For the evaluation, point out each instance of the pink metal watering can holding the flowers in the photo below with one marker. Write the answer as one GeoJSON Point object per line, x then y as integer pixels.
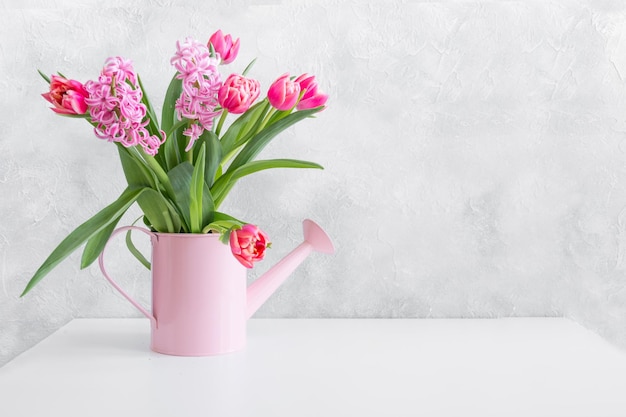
{"type": "Point", "coordinates": [200, 302]}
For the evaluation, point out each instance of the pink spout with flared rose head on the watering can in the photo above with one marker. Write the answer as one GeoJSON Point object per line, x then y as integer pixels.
{"type": "Point", "coordinates": [315, 239]}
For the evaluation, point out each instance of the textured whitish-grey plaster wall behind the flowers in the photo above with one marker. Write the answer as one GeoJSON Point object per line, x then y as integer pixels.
{"type": "Point", "coordinates": [474, 155]}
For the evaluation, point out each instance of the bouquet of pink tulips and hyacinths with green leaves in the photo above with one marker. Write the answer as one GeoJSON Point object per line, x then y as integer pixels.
{"type": "Point", "coordinates": [180, 170]}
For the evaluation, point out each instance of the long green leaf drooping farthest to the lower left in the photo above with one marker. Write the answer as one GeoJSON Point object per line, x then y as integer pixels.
{"type": "Point", "coordinates": [85, 232]}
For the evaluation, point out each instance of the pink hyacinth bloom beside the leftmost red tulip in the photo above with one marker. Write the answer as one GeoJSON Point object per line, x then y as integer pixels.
{"type": "Point", "coordinates": [116, 108]}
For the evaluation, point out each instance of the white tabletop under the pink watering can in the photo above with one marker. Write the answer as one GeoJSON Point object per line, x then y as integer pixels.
{"type": "Point", "coordinates": [325, 367]}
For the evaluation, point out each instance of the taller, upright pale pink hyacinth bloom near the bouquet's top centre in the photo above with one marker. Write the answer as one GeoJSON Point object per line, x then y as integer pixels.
{"type": "Point", "coordinates": [201, 82]}
